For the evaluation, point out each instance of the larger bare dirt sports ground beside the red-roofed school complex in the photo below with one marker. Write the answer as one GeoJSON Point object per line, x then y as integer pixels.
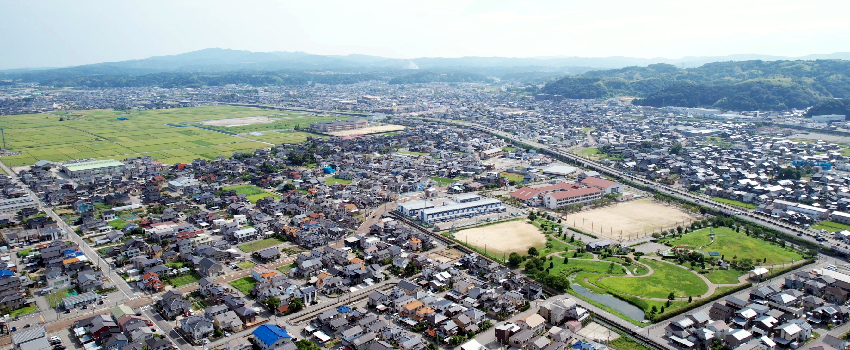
{"type": "Point", "coordinates": [635, 219]}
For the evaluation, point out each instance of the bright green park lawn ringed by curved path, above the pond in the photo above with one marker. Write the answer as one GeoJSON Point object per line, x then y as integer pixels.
{"type": "Point", "coordinates": [666, 278]}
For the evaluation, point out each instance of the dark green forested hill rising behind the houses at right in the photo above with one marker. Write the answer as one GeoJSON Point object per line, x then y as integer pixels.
{"type": "Point", "coordinates": [747, 85]}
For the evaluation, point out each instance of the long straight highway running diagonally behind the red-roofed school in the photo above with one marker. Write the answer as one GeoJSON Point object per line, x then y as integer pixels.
{"type": "Point", "coordinates": [702, 199]}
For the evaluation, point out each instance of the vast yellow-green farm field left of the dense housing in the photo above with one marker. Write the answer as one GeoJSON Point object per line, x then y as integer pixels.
{"type": "Point", "coordinates": [100, 134]}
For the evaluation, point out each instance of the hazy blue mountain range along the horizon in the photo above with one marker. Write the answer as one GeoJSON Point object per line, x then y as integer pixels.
{"type": "Point", "coordinates": [220, 60]}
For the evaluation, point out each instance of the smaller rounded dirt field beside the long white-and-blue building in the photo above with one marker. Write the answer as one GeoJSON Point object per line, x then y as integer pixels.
{"type": "Point", "coordinates": [512, 236]}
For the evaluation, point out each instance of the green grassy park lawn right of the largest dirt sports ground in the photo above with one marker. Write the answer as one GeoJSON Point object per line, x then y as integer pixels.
{"type": "Point", "coordinates": [732, 244]}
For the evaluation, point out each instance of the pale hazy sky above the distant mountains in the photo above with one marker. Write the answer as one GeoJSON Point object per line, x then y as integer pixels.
{"type": "Point", "coordinates": [64, 33]}
